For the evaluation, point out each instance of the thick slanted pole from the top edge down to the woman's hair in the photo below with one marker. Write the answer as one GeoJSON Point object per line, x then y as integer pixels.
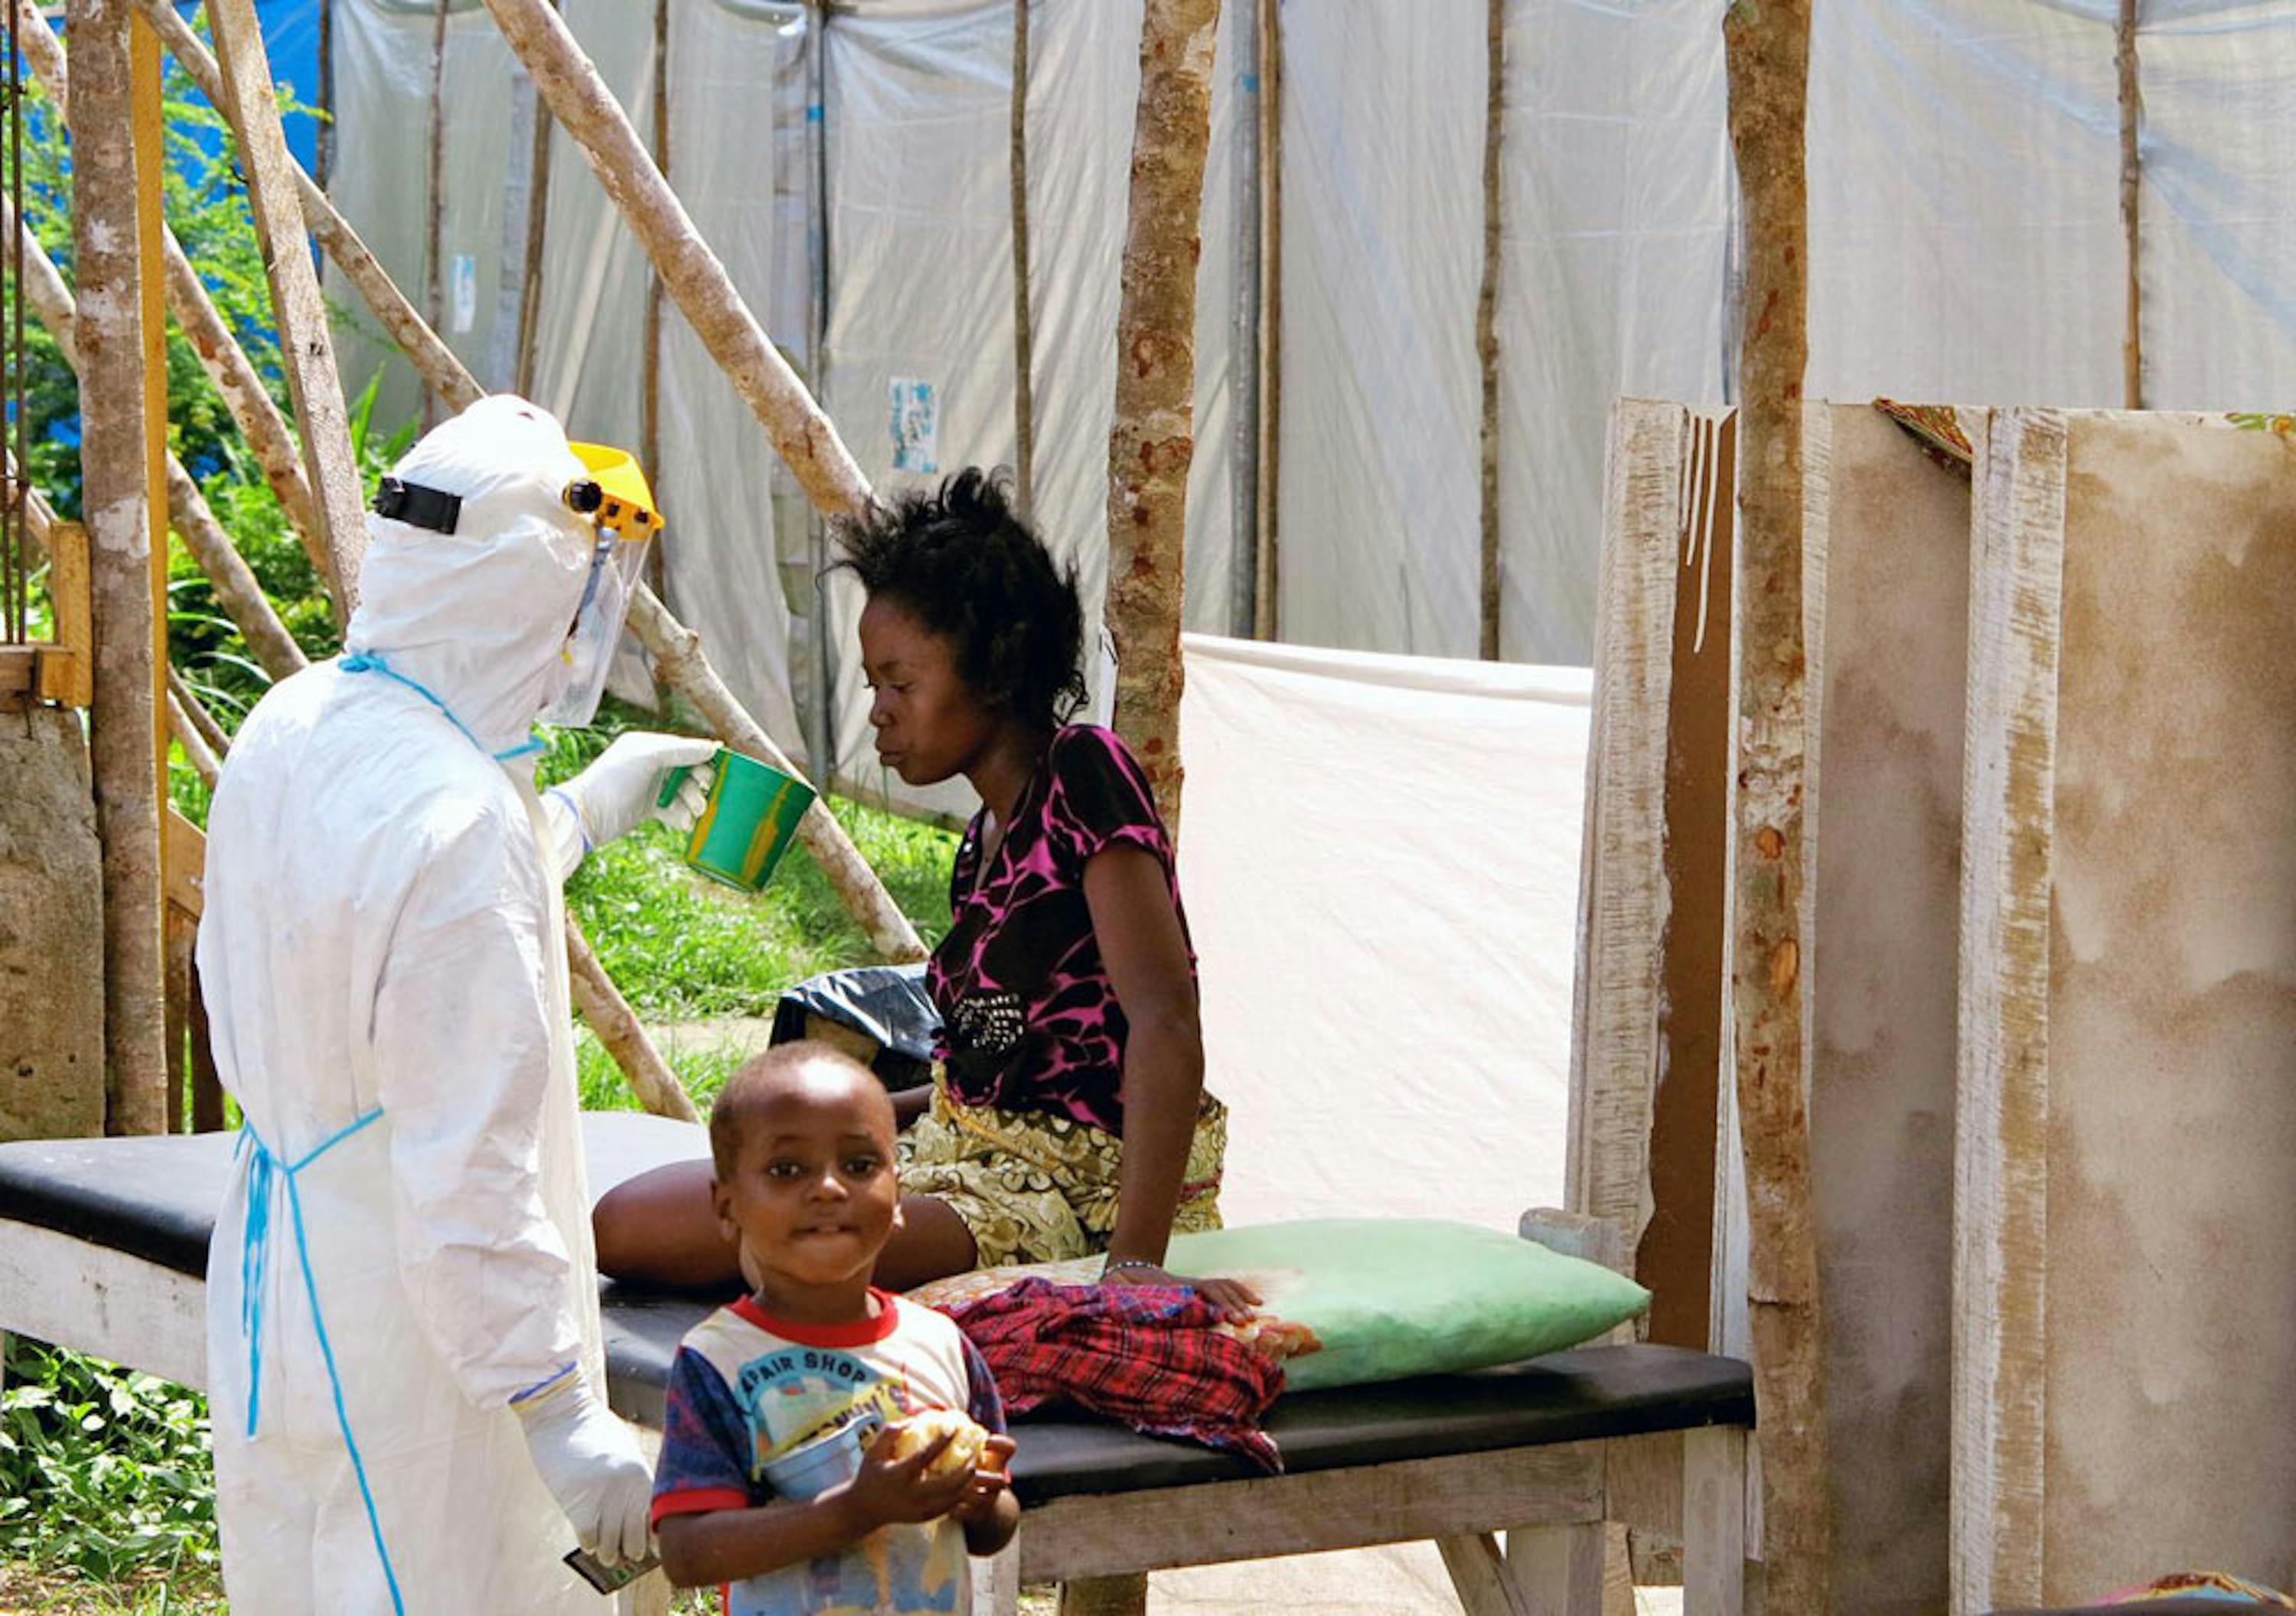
{"type": "Point", "coordinates": [690, 270]}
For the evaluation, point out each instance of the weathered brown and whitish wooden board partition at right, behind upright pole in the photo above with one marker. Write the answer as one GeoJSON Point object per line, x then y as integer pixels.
{"type": "Point", "coordinates": [2051, 970]}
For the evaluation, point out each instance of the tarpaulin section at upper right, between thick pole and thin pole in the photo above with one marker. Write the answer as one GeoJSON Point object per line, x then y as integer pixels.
{"type": "Point", "coordinates": [1964, 203]}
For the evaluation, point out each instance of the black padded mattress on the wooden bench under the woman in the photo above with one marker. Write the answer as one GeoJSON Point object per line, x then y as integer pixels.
{"type": "Point", "coordinates": [157, 1199]}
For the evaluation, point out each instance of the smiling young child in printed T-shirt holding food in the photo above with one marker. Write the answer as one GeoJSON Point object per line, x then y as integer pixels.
{"type": "Point", "coordinates": [779, 1454]}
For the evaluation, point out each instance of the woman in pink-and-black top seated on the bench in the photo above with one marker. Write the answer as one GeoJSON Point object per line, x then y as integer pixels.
{"type": "Point", "coordinates": [1066, 1114]}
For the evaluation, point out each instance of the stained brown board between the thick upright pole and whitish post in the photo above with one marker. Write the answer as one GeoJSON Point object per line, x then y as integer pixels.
{"type": "Point", "coordinates": [1888, 550]}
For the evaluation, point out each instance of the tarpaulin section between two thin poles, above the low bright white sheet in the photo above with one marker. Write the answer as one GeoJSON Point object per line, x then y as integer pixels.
{"type": "Point", "coordinates": [1383, 249]}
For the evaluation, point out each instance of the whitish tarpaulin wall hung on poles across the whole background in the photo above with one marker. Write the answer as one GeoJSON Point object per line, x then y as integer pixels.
{"type": "Point", "coordinates": [1967, 242]}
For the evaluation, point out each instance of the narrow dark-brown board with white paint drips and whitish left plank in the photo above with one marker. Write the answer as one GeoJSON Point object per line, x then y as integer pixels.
{"type": "Point", "coordinates": [1650, 968]}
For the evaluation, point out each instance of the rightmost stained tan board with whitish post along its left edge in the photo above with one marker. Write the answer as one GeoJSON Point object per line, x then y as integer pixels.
{"type": "Point", "coordinates": [2130, 1018]}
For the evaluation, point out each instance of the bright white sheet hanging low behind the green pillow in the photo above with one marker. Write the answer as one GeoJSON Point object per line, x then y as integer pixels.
{"type": "Point", "coordinates": [1379, 860]}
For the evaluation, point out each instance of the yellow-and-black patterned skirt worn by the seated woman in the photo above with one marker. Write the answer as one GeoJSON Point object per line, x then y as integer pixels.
{"type": "Point", "coordinates": [1041, 1188]}
